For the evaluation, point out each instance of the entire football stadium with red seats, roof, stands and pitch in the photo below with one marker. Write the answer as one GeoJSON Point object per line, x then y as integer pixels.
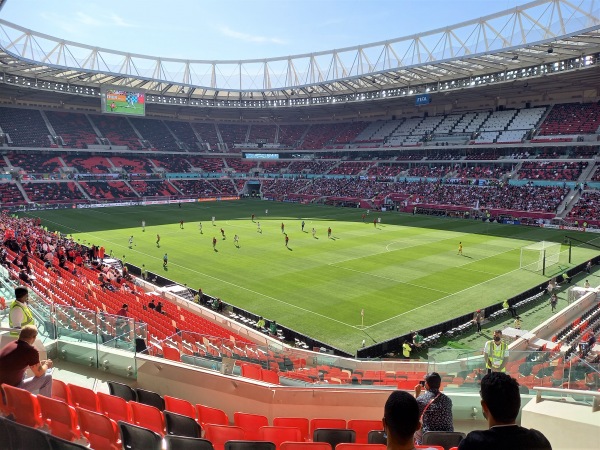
{"type": "Point", "coordinates": [255, 254]}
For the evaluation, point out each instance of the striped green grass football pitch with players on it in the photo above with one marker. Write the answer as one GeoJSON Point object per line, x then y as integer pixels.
{"type": "Point", "coordinates": [404, 273]}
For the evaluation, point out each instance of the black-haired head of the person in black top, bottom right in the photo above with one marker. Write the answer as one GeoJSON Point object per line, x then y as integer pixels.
{"type": "Point", "coordinates": [500, 398]}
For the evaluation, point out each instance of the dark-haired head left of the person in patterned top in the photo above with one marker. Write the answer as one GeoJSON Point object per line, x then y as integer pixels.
{"type": "Point", "coordinates": [400, 417]}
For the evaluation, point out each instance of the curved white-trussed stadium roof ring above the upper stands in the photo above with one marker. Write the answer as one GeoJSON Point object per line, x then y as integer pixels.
{"type": "Point", "coordinates": [530, 41]}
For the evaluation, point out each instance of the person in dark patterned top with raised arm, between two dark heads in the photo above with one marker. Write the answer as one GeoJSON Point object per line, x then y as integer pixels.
{"type": "Point", "coordinates": [435, 408]}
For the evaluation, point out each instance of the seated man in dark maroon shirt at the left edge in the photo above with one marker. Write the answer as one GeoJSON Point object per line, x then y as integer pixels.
{"type": "Point", "coordinates": [19, 355]}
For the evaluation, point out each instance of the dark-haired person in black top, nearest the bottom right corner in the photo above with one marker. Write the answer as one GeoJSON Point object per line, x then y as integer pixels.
{"type": "Point", "coordinates": [500, 402]}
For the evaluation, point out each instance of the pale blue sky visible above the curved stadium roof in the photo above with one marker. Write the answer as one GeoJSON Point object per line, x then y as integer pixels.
{"type": "Point", "coordinates": [239, 29]}
